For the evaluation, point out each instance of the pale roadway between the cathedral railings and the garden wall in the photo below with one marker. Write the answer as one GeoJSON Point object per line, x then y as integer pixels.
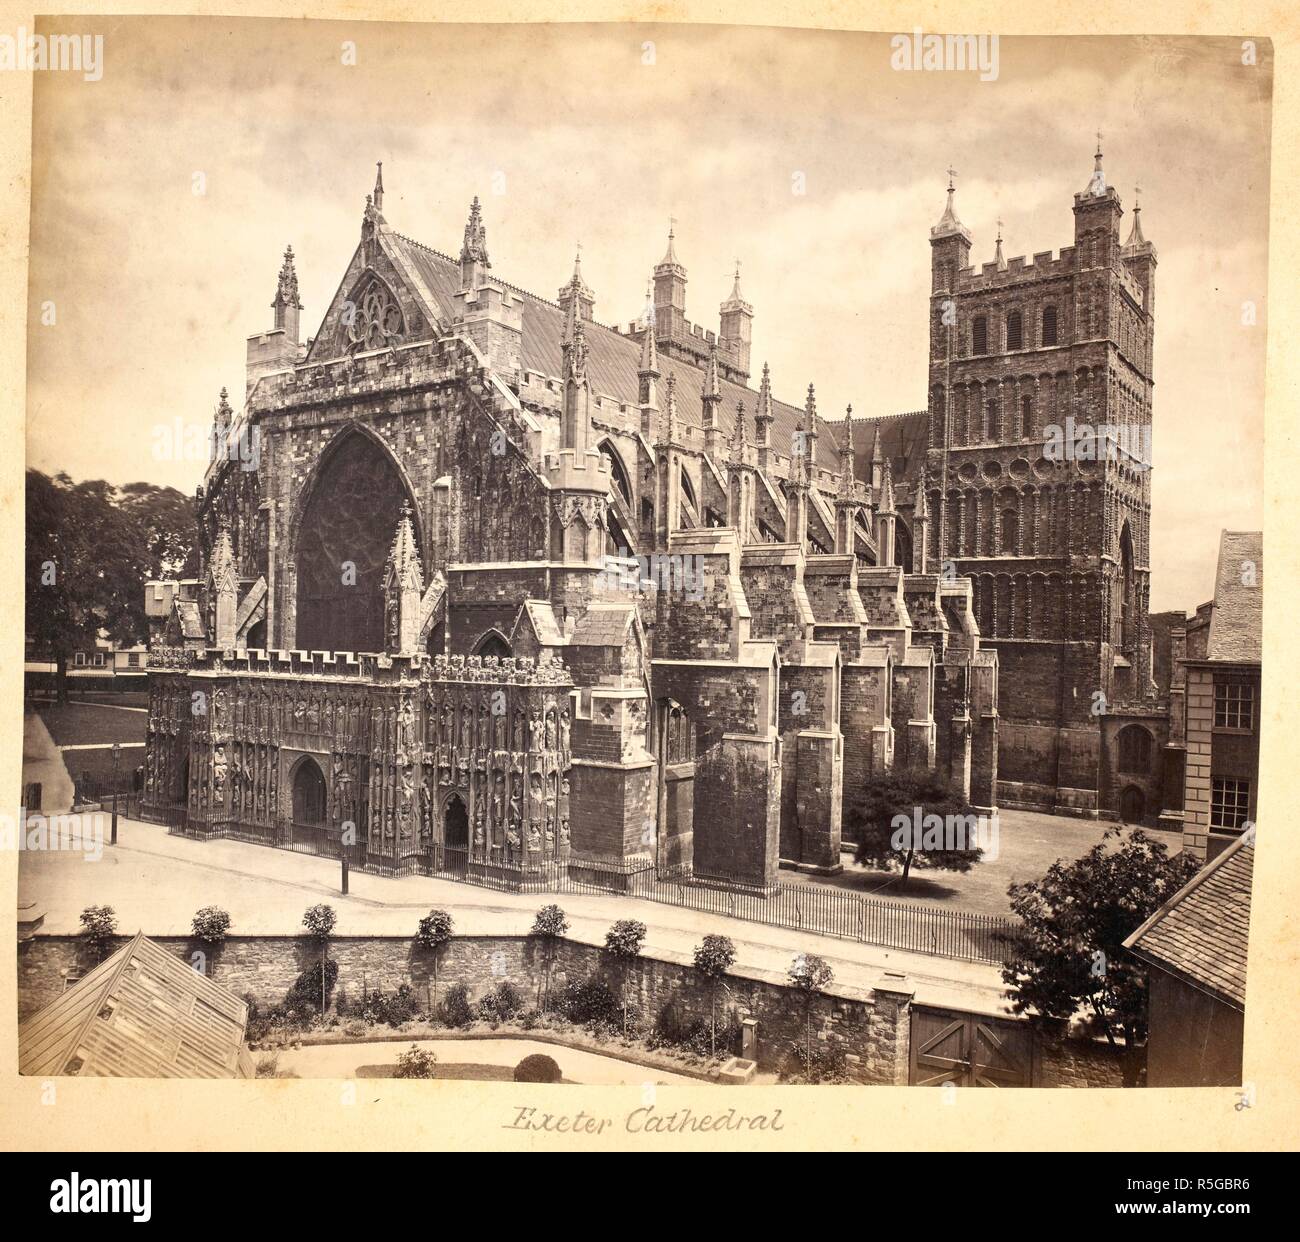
{"type": "Point", "coordinates": [155, 884]}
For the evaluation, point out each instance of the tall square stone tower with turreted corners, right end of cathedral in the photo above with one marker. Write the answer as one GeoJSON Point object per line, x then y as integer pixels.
{"type": "Point", "coordinates": [1038, 479]}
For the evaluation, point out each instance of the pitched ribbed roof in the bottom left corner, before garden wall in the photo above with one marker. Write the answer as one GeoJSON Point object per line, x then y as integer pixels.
{"type": "Point", "coordinates": [142, 1014]}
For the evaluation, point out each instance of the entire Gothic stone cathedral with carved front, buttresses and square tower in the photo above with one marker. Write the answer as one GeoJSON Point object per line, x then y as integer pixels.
{"type": "Point", "coordinates": [488, 586]}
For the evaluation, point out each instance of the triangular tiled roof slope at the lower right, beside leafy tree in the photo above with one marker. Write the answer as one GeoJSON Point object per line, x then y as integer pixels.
{"type": "Point", "coordinates": [1201, 934]}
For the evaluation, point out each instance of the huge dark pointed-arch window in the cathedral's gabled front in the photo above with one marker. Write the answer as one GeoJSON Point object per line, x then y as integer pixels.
{"type": "Point", "coordinates": [344, 540]}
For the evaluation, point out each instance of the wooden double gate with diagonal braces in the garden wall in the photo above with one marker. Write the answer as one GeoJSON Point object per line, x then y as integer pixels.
{"type": "Point", "coordinates": [970, 1050]}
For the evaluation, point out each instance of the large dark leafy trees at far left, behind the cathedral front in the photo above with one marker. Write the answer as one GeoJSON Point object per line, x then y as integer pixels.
{"type": "Point", "coordinates": [89, 553]}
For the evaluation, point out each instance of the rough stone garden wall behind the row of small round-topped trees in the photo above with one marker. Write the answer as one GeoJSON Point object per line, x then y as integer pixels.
{"type": "Point", "coordinates": [872, 1027]}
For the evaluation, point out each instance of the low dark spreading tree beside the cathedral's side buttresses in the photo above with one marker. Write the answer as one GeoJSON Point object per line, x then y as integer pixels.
{"type": "Point", "coordinates": [913, 819]}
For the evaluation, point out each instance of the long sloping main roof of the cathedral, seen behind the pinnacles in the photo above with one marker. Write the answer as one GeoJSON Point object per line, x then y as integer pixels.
{"type": "Point", "coordinates": [613, 360]}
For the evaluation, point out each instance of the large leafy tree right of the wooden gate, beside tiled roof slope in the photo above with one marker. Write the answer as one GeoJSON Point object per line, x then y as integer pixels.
{"type": "Point", "coordinates": [1069, 949]}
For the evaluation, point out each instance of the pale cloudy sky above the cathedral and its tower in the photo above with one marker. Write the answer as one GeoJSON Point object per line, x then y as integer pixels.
{"type": "Point", "coordinates": [600, 135]}
